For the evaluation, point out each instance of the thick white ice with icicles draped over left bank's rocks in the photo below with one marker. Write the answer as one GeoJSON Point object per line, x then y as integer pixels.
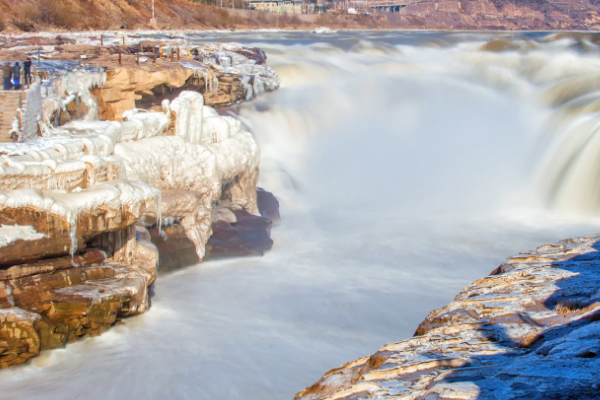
{"type": "Point", "coordinates": [111, 165]}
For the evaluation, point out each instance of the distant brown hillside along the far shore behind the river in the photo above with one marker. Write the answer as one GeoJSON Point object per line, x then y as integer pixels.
{"type": "Point", "coordinates": [36, 15]}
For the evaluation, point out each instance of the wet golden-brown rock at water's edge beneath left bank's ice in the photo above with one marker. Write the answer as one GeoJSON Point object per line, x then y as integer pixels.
{"type": "Point", "coordinates": [52, 302]}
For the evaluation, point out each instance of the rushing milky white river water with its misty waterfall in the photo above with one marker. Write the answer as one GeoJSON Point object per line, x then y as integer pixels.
{"type": "Point", "coordinates": [407, 165]}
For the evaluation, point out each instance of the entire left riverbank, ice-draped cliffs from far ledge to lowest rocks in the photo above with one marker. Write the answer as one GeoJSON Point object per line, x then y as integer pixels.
{"type": "Point", "coordinates": [101, 156]}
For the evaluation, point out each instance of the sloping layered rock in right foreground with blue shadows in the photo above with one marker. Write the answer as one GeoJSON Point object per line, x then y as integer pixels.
{"type": "Point", "coordinates": [529, 330]}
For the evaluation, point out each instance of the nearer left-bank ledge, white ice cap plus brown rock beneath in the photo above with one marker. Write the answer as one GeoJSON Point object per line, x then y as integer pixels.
{"type": "Point", "coordinates": [75, 252]}
